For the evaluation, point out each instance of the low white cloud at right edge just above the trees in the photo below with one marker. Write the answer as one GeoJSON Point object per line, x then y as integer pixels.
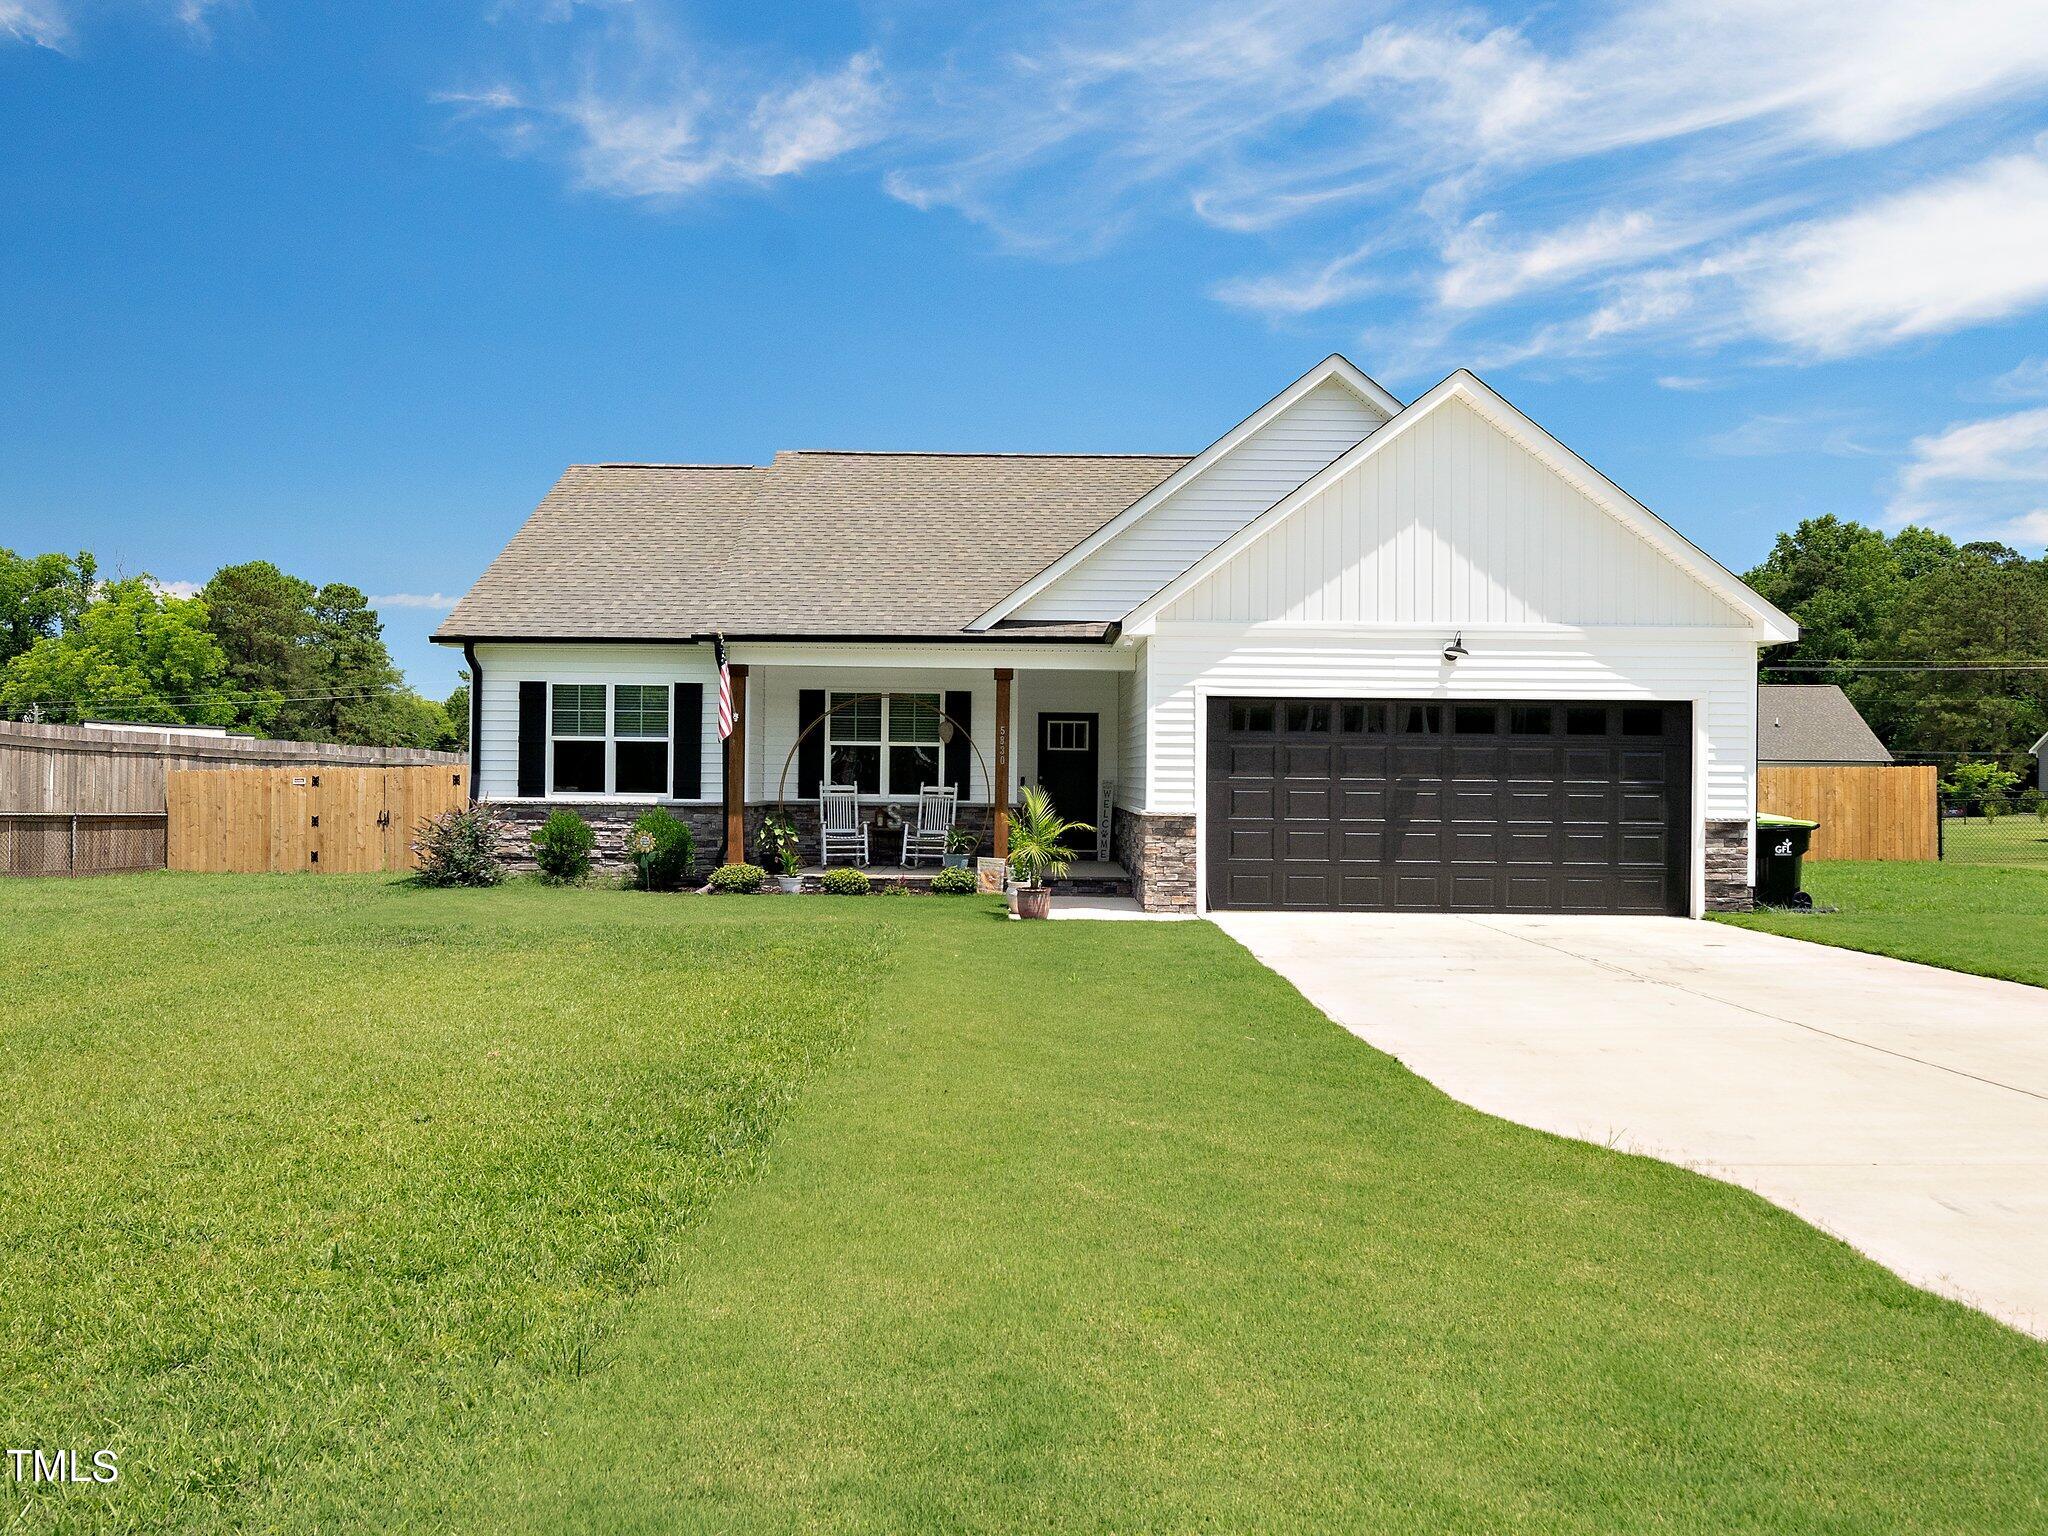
{"type": "Point", "coordinates": [1986, 478]}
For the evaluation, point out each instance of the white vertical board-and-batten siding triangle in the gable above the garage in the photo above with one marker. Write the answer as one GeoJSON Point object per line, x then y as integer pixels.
{"type": "Point", "coordinates": [1453, 523]}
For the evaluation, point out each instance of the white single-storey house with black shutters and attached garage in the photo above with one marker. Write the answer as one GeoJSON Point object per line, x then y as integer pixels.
{"type": "Point", "coordinates": [1353, 654]}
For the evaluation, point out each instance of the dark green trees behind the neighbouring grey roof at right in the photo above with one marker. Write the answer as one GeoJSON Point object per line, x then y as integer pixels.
{"type": "Point", "coordinates": [1940, 646]}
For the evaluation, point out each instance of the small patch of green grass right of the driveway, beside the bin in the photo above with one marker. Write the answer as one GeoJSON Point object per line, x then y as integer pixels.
{"type": "Point", "coordinates": [1981, 919]}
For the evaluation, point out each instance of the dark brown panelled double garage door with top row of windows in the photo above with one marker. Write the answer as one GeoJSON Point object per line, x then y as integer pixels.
{"type": "Point", "coordinates": [1400, 806]}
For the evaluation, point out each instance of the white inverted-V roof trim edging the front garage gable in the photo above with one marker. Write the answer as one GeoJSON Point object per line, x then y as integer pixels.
{"type": "Point", "coordinates": [1465, 386]}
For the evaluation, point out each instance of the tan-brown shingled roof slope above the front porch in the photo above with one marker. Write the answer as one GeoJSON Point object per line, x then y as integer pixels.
{"type": "Point", "coordinates": [814, 544]}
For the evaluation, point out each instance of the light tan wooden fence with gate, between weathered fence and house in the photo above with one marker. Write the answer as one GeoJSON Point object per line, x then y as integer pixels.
{"type": "Point", "coordinates": [323, 820]}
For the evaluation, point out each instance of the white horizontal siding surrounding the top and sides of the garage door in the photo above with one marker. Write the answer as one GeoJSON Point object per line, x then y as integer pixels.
{"type": "Point", "coordinates": [1717, 671]}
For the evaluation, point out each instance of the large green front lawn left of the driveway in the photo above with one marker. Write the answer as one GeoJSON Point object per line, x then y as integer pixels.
{"type": "Point", "coordinates": [347, 1207]}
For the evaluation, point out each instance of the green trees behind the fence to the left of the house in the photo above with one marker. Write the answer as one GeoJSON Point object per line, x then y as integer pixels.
{"type": "Point", "coordinates": [257, 650]}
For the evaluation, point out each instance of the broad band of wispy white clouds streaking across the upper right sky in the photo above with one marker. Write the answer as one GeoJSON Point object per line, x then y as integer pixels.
{"type": "Point", "coordinates": [1574, 185]}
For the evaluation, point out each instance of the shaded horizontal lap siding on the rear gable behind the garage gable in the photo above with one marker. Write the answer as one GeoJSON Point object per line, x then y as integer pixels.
{"type": "Point", "coordinates": [1207, 511]}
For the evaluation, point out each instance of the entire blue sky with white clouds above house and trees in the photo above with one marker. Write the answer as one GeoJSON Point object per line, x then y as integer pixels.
{"type": "Point", "coordinates": [347, 286]}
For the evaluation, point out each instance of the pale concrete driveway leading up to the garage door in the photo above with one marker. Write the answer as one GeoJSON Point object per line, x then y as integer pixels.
{"type": "Point", "coordinates": [1900, 1107]}
